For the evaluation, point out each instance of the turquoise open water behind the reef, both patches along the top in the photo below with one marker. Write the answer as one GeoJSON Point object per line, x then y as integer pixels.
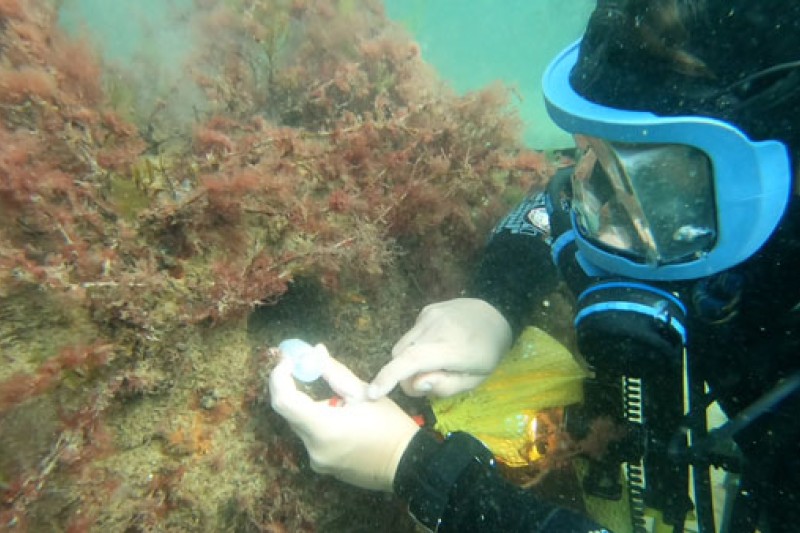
{"type": "Point", "coordinates": [471, 43]}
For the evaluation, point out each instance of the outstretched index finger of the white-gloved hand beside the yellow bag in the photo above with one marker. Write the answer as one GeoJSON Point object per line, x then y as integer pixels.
{"type": "Point", "coordinates": [416, 359]}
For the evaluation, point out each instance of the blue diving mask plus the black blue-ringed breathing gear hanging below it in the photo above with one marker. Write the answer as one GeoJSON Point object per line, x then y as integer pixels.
{"type": "Point", "coordinates": [656, 198]}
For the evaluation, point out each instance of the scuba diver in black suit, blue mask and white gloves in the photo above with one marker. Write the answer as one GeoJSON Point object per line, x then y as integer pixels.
{"type": "Point", "coordinates": [677, 233]}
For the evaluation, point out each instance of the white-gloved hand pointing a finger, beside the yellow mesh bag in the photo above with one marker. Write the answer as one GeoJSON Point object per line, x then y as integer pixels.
{"type": "Point", "coordinates": [453, 347]}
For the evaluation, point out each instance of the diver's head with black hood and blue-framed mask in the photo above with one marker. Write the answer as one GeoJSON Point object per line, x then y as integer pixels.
{"type": "Point", "coordinates": [688, 113]}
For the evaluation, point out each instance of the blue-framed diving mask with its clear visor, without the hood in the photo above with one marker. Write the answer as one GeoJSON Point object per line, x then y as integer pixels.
{"type": "Point", "coordinates": [665, 197]}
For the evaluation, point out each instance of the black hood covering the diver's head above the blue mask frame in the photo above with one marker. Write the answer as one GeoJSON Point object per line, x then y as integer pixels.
{"type": "Point", "coordinates": [721, 63]}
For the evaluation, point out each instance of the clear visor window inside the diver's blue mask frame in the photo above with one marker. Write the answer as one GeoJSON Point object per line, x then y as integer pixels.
{"type": "Point", "coordinates": [652, 203]}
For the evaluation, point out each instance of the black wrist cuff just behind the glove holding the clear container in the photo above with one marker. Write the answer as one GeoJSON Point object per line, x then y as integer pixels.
{"type": "Point", "coordinates": [429, 469]}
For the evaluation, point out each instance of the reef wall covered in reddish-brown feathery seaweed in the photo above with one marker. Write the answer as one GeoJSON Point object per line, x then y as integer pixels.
{"type": "Point", "coordinates": [303, 173]}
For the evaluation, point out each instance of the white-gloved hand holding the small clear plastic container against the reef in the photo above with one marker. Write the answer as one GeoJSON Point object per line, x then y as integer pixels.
{"type": "Point", "coordinates": [359, 442]}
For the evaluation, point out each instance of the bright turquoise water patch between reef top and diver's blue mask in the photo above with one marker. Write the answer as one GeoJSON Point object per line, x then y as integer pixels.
{"type": "Point", "coordinates": [476, 42]}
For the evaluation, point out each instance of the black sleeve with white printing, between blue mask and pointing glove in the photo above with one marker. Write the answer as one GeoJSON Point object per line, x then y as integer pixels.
{"type": "Point", "coordinates": [516, 271]}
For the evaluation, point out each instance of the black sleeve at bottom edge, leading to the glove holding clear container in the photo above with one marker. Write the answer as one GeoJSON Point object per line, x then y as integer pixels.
{"type": "Point", "coordinates": [453, 486]}
